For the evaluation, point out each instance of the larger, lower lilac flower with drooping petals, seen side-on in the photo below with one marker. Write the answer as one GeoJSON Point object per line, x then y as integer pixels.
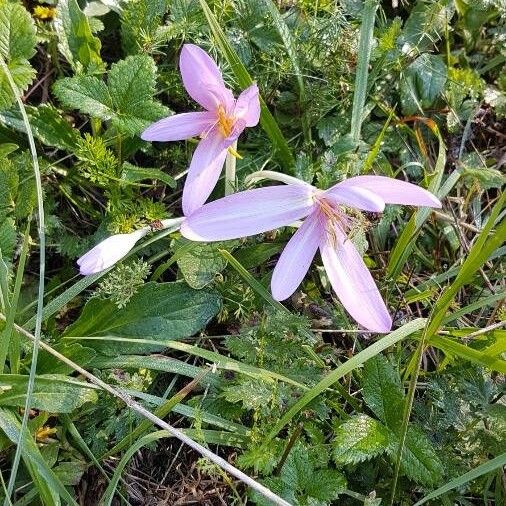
{"type": "Point", "coordinates": [330, 216]}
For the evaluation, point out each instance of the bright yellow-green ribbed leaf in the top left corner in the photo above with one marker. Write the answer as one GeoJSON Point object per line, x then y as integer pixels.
{"type": "Point", "coordinates": [17, 46]}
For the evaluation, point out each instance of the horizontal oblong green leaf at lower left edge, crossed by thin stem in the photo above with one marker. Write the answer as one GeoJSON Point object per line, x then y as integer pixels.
{"type": "Point", "coordinates": [53, 392]}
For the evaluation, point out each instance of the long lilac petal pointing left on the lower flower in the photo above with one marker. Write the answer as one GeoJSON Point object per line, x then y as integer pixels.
{"type": "Point", "coordinates": [249, 212]}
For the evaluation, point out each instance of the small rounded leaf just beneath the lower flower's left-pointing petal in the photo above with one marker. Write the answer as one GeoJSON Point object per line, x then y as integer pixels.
{"type": "Point", "coordinates": [200, 265]}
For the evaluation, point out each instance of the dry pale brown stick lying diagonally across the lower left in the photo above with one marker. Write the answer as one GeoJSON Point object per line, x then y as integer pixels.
{"type": "Point", "coordinates": [131, 403]}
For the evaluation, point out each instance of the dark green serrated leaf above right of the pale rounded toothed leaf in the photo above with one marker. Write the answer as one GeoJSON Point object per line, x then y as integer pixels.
{"type": "Point", "coordinates": [382, 391]}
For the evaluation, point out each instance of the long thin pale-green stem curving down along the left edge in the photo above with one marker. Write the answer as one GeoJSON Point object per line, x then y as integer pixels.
{"type": "Point", "coordinates": [42, 269]}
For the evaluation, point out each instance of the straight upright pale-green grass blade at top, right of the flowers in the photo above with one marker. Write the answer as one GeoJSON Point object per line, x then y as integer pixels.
{"type": "Point", "coordinates": [364, 54]}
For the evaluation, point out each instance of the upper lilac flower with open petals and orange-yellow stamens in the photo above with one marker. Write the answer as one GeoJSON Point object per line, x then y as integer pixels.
{"type": "Point", "coordinates": [219, 125]}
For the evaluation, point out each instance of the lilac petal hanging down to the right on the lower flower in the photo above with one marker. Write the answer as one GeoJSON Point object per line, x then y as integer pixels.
{"type": "Point", "coordinates": [354, 284]}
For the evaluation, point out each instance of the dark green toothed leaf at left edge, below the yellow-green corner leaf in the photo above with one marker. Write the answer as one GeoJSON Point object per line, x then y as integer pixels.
{"type": "Point", "coordinates": [48, 126]}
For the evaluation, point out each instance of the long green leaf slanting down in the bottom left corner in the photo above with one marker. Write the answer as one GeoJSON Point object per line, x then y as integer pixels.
{"type": "Point", "coordinates": [38, 467]}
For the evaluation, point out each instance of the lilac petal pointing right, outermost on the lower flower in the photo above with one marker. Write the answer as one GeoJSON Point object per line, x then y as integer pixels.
{"type": "Point", "coordinates": [393, 191]}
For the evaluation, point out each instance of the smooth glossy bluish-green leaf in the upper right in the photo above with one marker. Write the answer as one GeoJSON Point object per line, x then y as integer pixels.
{"type": "Point", "coordinates": [423, 81]}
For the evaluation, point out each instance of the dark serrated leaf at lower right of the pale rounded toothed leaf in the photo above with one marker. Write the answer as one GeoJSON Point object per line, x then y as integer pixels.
{"type": "Point", "coordinates": [419, 461]}
